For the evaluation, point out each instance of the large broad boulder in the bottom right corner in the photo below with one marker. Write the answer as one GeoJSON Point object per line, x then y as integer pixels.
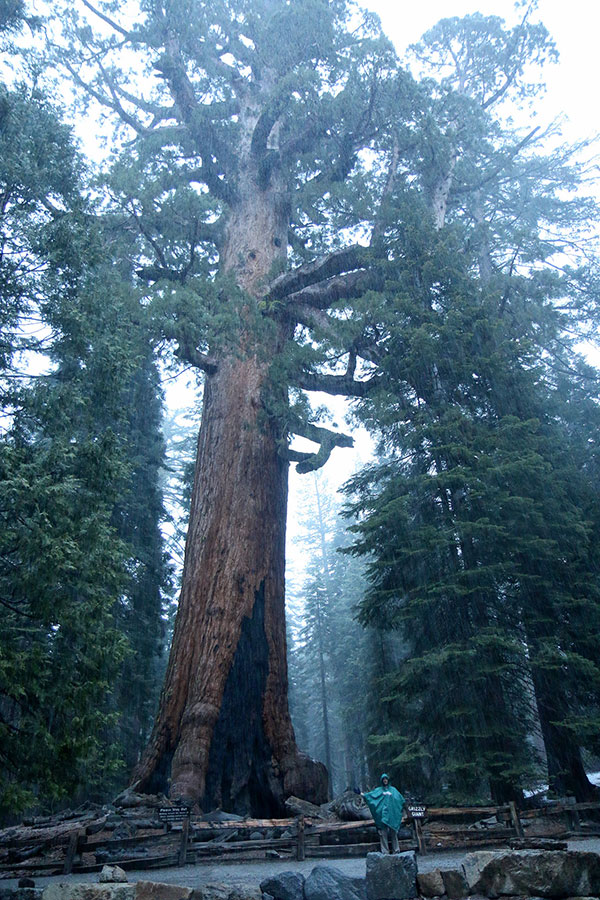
{"type": "Point", "coordinates": [542, 873]}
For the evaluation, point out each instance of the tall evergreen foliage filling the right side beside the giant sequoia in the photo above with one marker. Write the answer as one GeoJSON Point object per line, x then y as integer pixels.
{"type": "Point", "coordinates": [478, 522]}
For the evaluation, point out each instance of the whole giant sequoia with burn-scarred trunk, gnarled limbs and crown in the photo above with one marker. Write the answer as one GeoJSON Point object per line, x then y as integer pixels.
{"type": "Point", "coordinates": [245, 124]}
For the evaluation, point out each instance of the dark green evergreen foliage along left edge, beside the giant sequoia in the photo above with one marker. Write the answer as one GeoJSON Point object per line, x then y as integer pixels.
{"type": "Point", "coordinates": [82, 570]}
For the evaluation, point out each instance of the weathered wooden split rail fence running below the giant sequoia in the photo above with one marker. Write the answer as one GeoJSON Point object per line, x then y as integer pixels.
{"type": "Point", "coordinates": [189, 841]}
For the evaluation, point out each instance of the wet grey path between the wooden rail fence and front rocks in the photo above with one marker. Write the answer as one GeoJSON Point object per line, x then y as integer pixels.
{"type": "Point", "coordinates": [252, 873]}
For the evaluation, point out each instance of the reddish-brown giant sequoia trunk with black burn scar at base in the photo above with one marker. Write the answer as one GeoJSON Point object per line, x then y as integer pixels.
{"type": "Point", "coordinates": [223, 735]}
